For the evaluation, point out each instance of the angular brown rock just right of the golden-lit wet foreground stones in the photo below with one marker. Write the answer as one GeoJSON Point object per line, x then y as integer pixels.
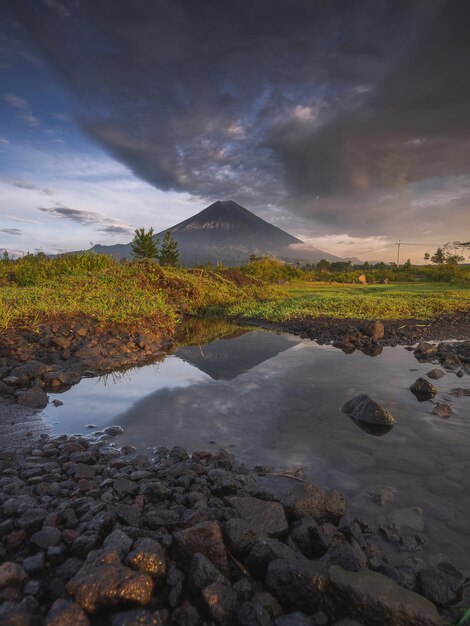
{"type": "Point", "coordinates": [206, 538]}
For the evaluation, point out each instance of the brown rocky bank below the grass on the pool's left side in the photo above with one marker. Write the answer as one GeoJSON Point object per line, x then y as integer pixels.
{"type": "Point", "coordinates": [57, 355]}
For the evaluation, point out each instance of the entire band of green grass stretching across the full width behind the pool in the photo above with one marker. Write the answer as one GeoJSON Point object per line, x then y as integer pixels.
{"type": "Point", "coordinates": [34, 289]}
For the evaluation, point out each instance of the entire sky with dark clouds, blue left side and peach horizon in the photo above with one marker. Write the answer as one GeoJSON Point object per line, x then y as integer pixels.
{"type": "Point", "coordinates": [345, 122]}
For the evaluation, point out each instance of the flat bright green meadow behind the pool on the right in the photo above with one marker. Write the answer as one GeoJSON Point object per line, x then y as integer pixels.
{"type": "Point", "coordinates": [393, 301]}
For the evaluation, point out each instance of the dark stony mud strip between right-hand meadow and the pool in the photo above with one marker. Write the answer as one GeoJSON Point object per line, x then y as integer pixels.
{"type": "Point", "coordinates": [370, 336]}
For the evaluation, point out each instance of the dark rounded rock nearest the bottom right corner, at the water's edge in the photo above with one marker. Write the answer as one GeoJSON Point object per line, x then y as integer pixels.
{"type": "Point", "coordinates": [443, 585]}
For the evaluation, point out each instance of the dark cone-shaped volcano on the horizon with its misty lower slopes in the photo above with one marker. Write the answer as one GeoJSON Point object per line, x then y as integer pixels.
{"type": "Point", "coordinates": [228, 233]}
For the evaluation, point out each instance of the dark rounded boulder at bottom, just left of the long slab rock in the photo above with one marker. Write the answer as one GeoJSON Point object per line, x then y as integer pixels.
{"type": "Point", "coordinates": [296, 584]}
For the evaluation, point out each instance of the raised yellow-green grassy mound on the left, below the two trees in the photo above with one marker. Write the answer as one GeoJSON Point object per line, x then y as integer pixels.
{"type": "Point", "coordinates": [34, 290]}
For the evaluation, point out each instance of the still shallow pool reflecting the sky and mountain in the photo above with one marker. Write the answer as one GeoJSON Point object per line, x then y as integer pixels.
{"type": "Point", "coordinates": [275, 399]}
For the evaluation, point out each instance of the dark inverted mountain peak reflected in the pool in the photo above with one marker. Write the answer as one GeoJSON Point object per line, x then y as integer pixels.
{"type": "Point", "coordinates": [226, 359]}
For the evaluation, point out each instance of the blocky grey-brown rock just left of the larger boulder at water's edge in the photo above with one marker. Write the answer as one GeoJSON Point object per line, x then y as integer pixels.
{"type": "Point", "coordinates": [263, 518]}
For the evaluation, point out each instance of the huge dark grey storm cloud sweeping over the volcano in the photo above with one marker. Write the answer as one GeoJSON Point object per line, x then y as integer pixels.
{"type": "Point", "coordinates": [331, 109]}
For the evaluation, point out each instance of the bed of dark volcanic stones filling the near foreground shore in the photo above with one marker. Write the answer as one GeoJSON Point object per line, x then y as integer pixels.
{"type": "Point", "coordinates": [90, 536]}
